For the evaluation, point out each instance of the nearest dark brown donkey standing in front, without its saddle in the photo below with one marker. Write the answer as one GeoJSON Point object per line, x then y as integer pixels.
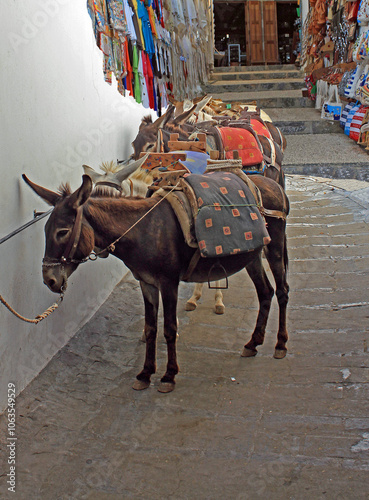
{"type": "Point", "coordinates": [146, 236]}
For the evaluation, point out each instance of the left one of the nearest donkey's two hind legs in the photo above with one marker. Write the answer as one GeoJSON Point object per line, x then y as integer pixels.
{"type": "Point", "coordinates": [265, 294]}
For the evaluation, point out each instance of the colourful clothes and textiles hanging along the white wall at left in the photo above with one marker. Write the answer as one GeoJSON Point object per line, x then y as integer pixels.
{"type": "Point", "coordinates": [154, 48]}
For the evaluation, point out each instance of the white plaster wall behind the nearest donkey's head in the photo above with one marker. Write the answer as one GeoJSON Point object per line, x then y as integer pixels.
{"type": "Point", "coordinates": [56, 114]}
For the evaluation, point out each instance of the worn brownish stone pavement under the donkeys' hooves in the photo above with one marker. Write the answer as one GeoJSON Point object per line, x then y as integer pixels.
{"type": "Point", "coordinates": [234, 428]}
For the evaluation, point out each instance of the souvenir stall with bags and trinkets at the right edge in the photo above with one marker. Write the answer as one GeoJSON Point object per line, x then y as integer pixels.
{"type": "Point", "coordinates": [335, 59]}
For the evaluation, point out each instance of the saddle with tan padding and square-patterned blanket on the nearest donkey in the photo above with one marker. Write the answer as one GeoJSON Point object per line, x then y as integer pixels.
{"type": "Point", "coordinates": [220, 212]}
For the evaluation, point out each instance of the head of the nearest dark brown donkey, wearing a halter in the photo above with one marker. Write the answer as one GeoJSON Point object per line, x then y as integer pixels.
{"type": "Point", "coordinates": [69, 239]}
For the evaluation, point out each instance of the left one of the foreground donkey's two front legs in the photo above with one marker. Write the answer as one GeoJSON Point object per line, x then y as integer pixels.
{"type": "Point", "coordinates": [151, 299]}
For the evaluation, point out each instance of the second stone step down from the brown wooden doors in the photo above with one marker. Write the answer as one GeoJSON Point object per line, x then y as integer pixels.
{"type": "Point", "coordinates": [226, 86]}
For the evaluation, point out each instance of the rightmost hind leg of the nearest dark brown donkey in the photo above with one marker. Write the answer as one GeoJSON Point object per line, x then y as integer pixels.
{"type": "Point", "coordinates": [276, 254]}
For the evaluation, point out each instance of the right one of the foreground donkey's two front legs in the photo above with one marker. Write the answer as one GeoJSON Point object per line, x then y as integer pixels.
{"type": "Point", "coordinates": [169, 293]}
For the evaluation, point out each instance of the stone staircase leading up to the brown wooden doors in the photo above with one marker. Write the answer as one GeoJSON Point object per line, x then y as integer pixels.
{"type": "Point", "coordinates": [314, 146]}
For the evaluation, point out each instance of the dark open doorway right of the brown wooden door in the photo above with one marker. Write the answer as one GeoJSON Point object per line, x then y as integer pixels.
{"type": "Point", "coordinates": [288, 33]}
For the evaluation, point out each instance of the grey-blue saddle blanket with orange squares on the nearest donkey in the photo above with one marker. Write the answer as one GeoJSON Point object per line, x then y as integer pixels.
{"type": "Point", "coordinates": [228, 220]}
